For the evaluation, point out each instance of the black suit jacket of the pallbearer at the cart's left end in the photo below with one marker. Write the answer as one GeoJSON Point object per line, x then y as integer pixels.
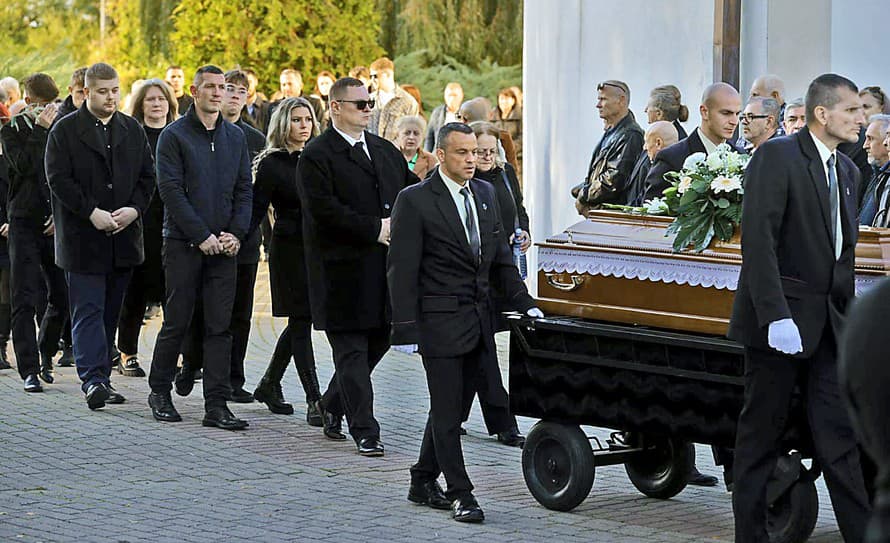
{"type": "Point", "coordinates": [441, 298]}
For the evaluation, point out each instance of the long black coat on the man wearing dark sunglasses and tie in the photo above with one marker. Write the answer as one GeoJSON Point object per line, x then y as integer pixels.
{"type": "Point", "coordinates": [343, 201]}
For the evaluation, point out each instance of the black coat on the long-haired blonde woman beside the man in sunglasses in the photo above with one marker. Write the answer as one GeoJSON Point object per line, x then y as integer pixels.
{"type": "Point", "coordinates": [276, 184]}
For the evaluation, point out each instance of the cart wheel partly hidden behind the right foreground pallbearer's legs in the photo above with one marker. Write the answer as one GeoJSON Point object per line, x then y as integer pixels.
{"type": "Point", "coordinates": [792, 517]}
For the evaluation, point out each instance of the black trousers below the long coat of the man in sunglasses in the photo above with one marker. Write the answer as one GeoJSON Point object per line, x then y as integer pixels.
{"type": "Point", "coordinates": [350, 393]}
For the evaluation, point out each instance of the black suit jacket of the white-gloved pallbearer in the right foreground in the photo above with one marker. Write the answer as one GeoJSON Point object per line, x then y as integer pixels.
{"type": "Point", "coordinates": [788, 267]}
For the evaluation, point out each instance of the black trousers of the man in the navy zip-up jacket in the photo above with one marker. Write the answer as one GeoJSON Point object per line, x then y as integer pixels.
{"type": "Point", "coordinates": [190, 274]}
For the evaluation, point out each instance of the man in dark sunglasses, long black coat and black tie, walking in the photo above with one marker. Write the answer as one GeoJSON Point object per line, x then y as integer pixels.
{"type": "Point", "coordinates": [348, 180]}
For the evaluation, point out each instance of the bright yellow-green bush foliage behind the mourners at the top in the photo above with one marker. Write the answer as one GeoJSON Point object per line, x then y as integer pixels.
{"type": "Point", "coordinates": [270, 35]}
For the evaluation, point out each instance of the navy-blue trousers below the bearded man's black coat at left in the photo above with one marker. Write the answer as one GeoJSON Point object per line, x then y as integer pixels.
{"type": "Point", "coordinates": [95, 307]}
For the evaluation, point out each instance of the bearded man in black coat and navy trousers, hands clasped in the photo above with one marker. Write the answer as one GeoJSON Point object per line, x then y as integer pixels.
{"type": "Point", "coordinates": [100, 170]}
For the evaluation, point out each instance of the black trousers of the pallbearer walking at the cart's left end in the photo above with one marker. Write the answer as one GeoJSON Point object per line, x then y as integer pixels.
{"type": "Point", "coordinates": [452, 384]}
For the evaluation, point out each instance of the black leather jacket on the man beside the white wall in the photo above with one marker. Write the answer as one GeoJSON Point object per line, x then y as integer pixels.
{"type": "Point", "coordinates": [608, 176]}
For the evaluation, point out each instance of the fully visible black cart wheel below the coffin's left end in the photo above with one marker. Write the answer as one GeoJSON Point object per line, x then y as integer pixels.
{"type": "Point", "coordinates": [558, 466]}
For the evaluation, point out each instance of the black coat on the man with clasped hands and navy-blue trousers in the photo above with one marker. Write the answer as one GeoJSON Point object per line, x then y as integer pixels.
{"type": "Point", "coordinates": [82, 178]}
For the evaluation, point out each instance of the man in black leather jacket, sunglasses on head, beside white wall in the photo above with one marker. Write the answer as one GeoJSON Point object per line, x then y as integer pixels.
{"type": "Point", "coordinates": [608, 176]}
